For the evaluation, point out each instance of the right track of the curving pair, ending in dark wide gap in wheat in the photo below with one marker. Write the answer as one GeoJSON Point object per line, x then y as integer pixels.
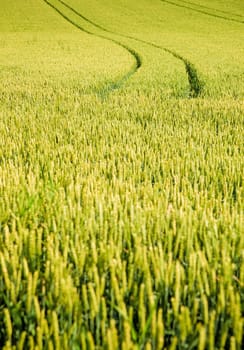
{"type": "Point", "coordinates": [196, 85]}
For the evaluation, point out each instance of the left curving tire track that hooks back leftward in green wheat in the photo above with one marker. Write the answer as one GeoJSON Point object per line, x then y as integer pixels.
{"type": "Point", "coordinates": [118, 83]}
